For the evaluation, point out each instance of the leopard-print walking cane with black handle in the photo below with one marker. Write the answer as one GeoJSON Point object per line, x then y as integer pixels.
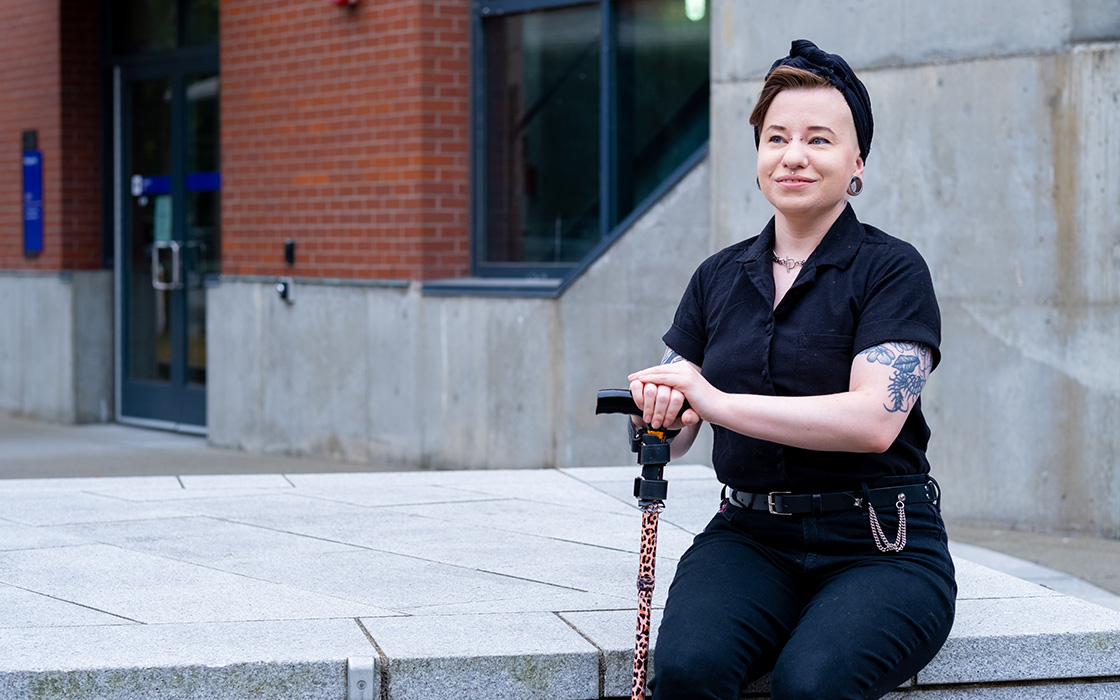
{"type": "Point", "coordinates": [650, 490]}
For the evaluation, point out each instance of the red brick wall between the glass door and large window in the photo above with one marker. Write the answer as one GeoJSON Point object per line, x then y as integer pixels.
{"type": "Point", "coordinates": [346, 129]}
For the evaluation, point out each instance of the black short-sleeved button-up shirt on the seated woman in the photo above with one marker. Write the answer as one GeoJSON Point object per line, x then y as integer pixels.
{"type": "Point", "coordinates": [861, 288]}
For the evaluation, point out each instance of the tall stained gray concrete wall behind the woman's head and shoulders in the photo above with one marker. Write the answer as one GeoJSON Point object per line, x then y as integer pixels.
{"type": "Point", "coordinates": [997, 154]}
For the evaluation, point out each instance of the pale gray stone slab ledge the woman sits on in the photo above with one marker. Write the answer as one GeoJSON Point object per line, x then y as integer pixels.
{"type": "Point", "coordinates": [415, 586]}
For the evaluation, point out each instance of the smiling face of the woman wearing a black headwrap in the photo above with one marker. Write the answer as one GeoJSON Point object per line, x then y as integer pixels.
{"type": "Point", "coordinates": [808, 154]}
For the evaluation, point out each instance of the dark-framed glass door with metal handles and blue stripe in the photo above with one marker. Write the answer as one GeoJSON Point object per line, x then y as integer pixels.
{"type": "Point", "coordinates": [170, 240]}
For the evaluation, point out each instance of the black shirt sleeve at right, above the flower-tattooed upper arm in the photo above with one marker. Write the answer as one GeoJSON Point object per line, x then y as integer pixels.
{"type": "Point", "coordinates": [901, 304]}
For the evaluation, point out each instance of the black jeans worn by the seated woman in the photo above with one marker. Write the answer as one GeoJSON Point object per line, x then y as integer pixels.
{"type": "Point", "coordinates": [809, 598]}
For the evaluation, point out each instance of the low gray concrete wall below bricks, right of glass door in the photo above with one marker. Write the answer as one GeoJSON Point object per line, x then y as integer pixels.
{"type": "Point", "coordinates": [374, 375]}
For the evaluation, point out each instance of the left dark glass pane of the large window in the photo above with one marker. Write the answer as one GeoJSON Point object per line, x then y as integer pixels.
{"type": "Point", "coordinates": [543, 138]}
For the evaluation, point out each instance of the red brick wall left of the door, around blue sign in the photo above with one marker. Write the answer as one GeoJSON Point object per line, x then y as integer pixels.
{"type": "Point", "coordinates": [51, 82]}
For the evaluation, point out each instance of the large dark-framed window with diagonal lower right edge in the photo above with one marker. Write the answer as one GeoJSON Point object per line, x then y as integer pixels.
{"type": "Point", "coordinates": [578, 127]}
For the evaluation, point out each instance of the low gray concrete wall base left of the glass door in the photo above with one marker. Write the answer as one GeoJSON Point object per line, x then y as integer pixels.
{"type": "Point", "coordinates": [57, 348]}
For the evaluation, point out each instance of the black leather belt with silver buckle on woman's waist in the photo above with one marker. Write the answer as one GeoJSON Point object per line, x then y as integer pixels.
{"type": "Point", "coordinates": [783, 503]}
